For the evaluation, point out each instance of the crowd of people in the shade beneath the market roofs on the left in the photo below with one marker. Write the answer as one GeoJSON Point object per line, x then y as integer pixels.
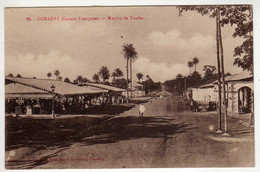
{"type": "Point", "coordinates": [62, 105]}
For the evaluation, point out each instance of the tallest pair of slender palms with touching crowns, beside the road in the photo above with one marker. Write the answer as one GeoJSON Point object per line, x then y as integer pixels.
{"type": "Point", "coordinates": [130, 55]}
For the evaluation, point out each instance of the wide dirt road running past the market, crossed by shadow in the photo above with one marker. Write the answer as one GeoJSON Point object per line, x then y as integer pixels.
{"type": "Point", "coordinates": [162, 138]}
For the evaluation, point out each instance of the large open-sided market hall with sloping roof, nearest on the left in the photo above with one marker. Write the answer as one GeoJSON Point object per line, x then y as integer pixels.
{"type": "Point", "coordinates": [38, 96]}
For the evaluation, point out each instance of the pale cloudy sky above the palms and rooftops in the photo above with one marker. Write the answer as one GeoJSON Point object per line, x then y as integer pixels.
{"type": "Point", "coordinates": [165, 41]}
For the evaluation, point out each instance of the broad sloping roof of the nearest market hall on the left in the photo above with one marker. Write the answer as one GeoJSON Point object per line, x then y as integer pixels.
{"type": "Point", "coordinates": [61, 88]}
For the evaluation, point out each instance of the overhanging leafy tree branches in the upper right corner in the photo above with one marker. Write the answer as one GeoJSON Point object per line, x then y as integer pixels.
{"type": "Point", "coordinates": [240, 16]}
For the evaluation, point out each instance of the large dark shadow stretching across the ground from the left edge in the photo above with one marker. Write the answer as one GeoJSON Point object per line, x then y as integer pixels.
{"type": "Point", "coordinates": [44, 134]}
